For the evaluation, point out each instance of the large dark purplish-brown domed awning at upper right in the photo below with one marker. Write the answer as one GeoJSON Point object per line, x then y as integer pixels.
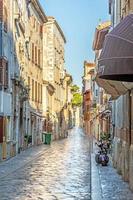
{"type": "Point", "coordinates": [116, 59]}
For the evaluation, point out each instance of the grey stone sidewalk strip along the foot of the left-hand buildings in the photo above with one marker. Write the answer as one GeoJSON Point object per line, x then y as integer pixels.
{"type": "Point", "coordinates": [20, 160]}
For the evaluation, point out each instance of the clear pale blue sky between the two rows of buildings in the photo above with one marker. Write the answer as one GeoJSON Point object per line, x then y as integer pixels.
{"type": "Point", "coordinates": [78, 19]}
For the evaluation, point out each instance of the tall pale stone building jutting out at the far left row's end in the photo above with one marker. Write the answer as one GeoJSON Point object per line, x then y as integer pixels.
{"type": "Point", "coordinates": [54, 73]}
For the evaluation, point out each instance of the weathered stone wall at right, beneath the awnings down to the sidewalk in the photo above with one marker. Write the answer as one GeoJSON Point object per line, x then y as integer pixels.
{"type": "Point", "coordinates": [121, 139]}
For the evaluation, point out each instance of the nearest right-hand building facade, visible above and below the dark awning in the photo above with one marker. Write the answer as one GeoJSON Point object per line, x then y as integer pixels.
{"type": "Point", "coordinates": [122, 109]}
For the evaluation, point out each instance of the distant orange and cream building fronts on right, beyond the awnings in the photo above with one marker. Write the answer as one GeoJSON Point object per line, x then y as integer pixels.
{"type": "Point", "coordinates": [95, 104]}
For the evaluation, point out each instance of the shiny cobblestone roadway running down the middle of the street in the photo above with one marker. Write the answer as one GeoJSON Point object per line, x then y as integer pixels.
{"type": "Point", "coordinates": [62, 172]}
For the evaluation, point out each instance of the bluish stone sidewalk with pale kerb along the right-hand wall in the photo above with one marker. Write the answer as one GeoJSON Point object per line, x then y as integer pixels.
{"type": "Point", "coordinates": [107, 184]}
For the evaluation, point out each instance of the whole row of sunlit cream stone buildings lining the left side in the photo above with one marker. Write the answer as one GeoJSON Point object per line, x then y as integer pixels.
{"type": "Point", "coordinates": [34, 85]}
